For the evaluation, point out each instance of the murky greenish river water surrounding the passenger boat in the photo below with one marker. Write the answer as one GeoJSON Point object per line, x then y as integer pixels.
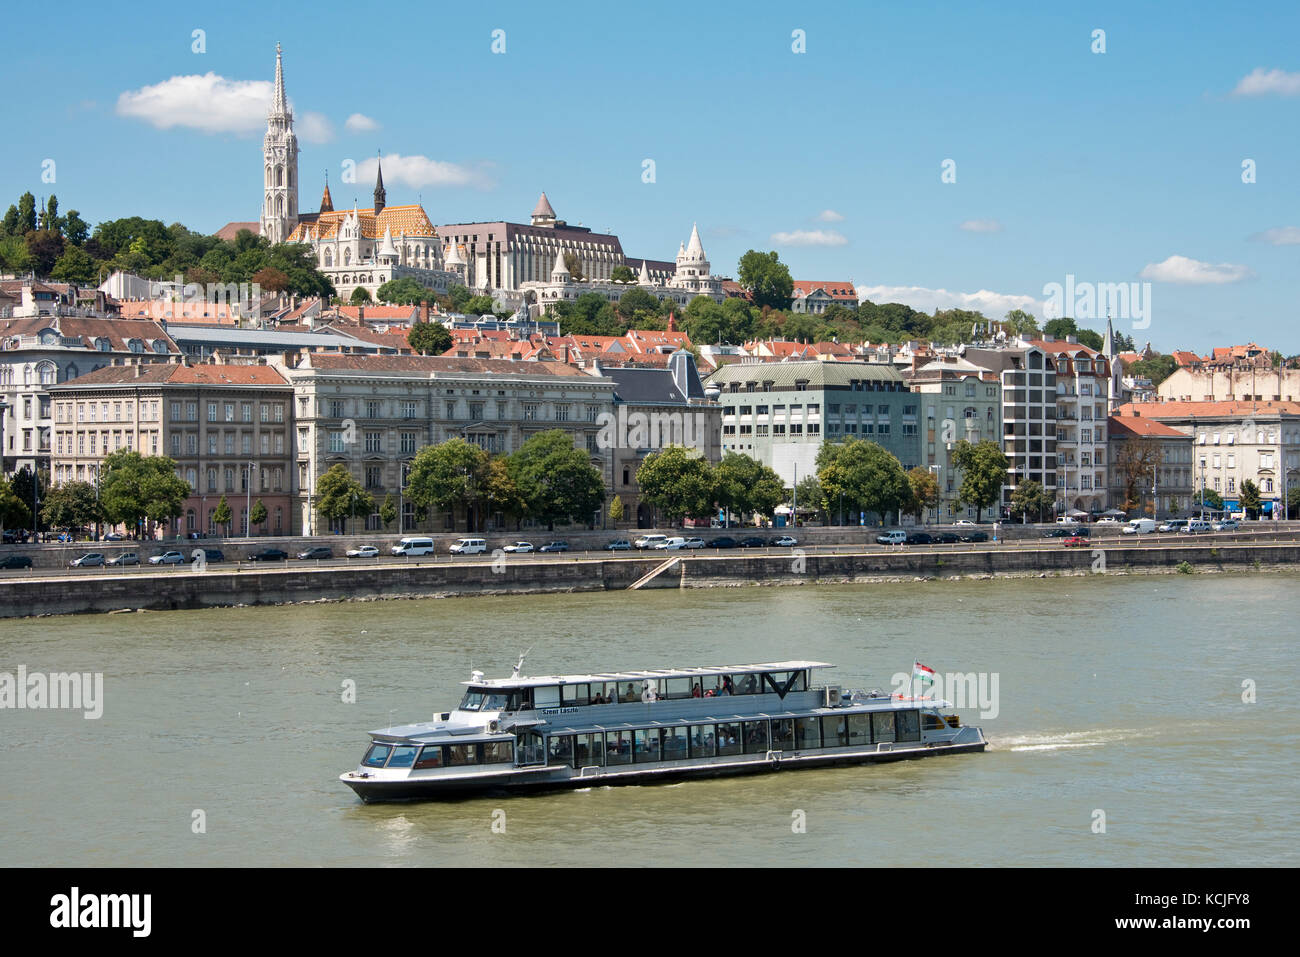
{"type": "Point", "coordinates": [1117, 696]}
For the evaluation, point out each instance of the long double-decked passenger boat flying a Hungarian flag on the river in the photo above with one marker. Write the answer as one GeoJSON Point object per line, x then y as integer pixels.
{"type": "Point", "coordinates": [638, 728]}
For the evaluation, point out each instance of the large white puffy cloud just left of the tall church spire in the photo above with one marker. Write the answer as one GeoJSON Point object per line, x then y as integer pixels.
{"type": "Point", "coordinates": [209, 103]}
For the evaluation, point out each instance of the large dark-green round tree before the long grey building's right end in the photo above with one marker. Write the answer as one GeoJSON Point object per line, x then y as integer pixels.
{"type": "Point", "coordinates": [557, 480]}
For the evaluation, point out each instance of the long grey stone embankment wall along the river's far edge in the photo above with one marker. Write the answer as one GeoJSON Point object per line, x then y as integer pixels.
{"type": "Point", "coordinates": [181, 588]}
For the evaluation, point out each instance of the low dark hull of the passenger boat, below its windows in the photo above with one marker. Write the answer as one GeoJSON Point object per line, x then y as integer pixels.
{"type": "Point", "coordinates": [535, 781]}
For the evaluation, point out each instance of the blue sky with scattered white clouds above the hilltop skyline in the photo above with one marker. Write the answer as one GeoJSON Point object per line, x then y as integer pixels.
{"type": "Point", "coordinates": [1116, 167]}
